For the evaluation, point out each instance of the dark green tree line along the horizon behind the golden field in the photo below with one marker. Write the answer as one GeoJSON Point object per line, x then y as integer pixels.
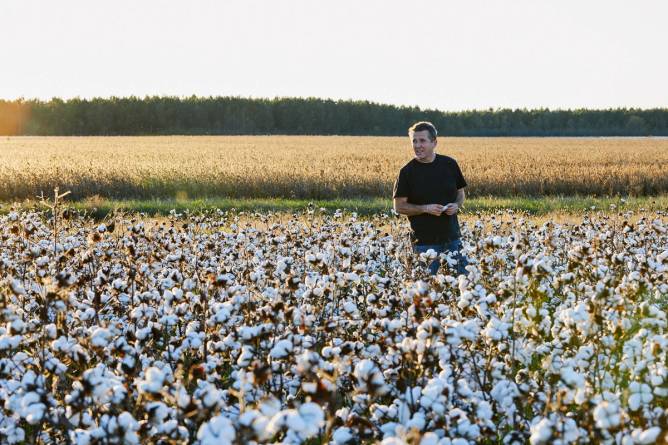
{"type": "Point", "coordinates": [157, 115]}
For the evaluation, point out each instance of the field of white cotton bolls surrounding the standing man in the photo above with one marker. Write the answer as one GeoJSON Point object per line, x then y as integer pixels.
{"type": "Point", "coordinates": [323, 328]}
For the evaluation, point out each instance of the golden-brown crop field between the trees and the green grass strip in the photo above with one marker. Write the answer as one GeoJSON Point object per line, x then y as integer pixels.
{"type": "Point", "coordinates": [321, 167]}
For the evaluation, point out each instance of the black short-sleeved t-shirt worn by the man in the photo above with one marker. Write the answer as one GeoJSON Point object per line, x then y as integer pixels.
{"type": "Point", "coordinates": [434, 183]}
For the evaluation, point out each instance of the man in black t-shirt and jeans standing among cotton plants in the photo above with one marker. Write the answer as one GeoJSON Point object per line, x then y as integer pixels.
{"type": "Point", "coordinates": [430, 191]}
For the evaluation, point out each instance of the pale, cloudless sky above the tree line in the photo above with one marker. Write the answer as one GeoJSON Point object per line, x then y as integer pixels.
{"type": "Point", "coordinates": [449, 55]}
